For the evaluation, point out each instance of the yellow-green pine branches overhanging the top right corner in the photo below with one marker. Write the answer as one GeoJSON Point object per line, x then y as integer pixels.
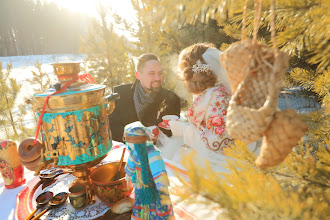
{"type": "Point", "coordinates": [302, 29]}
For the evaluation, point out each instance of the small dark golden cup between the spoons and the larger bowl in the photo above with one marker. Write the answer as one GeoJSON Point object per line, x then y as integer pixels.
{"type": "Point", "coordinates": [78, 196]}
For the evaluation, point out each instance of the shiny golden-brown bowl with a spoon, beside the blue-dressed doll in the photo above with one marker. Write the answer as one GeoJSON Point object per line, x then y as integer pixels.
{"type": "Point", "coordinates": [107, 189]}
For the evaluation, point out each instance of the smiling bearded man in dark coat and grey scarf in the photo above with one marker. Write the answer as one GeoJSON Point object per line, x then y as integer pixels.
{"type": "Point", "coordinates": [145, 100]}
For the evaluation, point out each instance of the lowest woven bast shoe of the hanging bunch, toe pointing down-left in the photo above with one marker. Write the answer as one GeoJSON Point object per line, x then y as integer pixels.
{"type": "Point", "coordinates": [282, 135]}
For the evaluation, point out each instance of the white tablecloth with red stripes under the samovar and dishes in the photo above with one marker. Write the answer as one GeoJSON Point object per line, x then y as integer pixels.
{"type": "Point", "coordinates": [12, 209]}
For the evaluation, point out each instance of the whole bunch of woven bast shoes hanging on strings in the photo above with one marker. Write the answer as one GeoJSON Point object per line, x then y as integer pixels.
{"type": "Point", "coordinates": [256, 73]}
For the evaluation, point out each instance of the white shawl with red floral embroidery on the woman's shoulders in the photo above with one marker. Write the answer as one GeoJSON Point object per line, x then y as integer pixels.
{"type": "Point", "coordinates": [208, 115]}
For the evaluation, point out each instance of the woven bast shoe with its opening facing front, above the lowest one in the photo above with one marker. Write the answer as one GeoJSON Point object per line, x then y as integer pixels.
{"type": "Point", "coordinates": [253, 105]}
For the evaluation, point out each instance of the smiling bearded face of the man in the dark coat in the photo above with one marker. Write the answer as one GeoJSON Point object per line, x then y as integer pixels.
{"type": "Point", "coordinates": [151, 76]}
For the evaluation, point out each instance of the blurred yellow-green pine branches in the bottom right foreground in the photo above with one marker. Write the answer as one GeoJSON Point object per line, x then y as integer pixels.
{"type": "Point", "coordinates": [297, 189]}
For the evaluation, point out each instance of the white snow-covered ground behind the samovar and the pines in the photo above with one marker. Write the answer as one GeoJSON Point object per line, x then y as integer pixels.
{"type": "Point", "coordinates": [24, 65]}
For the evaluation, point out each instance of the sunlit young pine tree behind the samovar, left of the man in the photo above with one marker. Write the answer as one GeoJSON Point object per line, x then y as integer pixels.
{"type": "Point", "coordinates": [107, 52]}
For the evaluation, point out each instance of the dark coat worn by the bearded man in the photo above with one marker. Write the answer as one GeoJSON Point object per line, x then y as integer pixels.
{"type": "Point", "coordinates": [166, 103]}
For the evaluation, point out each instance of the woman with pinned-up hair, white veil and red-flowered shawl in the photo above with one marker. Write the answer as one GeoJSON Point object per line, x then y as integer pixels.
{"type": "Point", "coordinates": [203, 75]}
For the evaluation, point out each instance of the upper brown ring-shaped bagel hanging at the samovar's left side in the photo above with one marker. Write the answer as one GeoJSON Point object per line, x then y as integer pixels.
{"type": "Point", "coordinates": [27, 151]}
